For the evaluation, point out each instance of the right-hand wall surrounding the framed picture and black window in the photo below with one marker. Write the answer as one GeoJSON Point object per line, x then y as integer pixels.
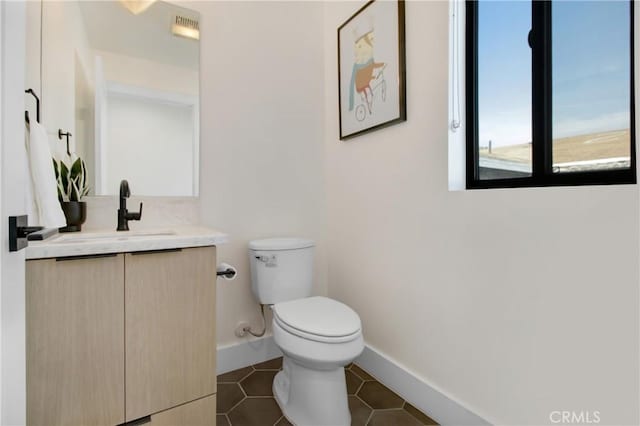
{"type": "Point", "coordinates": [512, 302]}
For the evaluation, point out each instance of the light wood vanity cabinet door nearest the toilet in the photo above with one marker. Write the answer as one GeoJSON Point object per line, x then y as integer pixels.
{"type": "Point", "coordinates": [170, 341]}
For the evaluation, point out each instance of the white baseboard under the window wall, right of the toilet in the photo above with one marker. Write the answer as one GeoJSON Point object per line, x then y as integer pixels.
{"type": "Point", "coordinates": [417, 392]}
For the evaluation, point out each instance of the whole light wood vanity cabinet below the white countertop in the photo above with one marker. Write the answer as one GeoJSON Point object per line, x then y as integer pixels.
{"type": "Point", "coordinates": [115, 338]}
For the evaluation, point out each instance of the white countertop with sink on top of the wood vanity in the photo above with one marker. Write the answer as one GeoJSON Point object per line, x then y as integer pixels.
{"type": "Point", "coordinates": [110, 241]}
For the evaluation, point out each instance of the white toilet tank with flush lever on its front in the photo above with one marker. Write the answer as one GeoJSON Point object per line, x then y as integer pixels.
{"type": "Point", "coordinates": [281, 269]}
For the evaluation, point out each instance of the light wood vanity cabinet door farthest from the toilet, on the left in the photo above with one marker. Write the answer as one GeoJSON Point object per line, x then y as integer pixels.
{"type": "Point", "coordinates": [75, 341]}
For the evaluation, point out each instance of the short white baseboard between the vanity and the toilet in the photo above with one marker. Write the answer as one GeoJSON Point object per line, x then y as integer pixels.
{"type": "Point", "coordinates": [247, 353]}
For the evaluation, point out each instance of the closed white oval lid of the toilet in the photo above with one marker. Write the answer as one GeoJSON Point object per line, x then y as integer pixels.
{"type": "Point", "coordinates": [319, 316]}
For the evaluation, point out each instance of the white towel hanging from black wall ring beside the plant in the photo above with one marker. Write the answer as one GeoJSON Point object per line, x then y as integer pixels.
{"type": "Point", "coordinates": [43, 177]}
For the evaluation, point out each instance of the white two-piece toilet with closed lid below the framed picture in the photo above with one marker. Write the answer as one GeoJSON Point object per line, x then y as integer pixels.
{"type": "Point", "coordinates": [317, 335]}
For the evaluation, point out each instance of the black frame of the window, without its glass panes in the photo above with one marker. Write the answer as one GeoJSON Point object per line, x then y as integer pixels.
{"type": "Point", "coordinates": [542, 172]}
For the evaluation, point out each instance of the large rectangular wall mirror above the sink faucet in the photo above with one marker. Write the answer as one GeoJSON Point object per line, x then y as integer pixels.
{"type": "Point", "coordinates": [123, 78]}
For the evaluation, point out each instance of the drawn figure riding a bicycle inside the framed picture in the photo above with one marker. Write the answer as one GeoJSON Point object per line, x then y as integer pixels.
{"type": "Point", "coordinates": [364, 70]}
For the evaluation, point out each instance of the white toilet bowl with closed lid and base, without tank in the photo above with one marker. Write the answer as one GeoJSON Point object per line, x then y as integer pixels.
{"type": "Point", "coordinates": [318, 337]}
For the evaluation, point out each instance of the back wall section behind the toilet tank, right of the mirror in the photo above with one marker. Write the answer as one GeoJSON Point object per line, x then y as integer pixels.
{"type": "Point", "coordinates": [261, 136]}
